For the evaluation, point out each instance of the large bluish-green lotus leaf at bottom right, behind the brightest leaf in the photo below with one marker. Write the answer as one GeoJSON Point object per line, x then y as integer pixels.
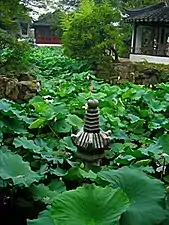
{"type": "Point", "coordinates": [146, 195]}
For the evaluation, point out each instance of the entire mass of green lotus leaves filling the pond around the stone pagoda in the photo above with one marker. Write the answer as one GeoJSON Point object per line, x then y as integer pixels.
{"type": "Point", "coordinates": [38, 156]}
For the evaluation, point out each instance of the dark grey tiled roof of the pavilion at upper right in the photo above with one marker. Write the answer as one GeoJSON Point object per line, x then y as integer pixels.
{"type": "Point", "coordinates": [153, 13]}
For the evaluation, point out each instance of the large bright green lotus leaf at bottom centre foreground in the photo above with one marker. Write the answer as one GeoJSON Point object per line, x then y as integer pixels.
{"type": "Point", "coordinates": [89, 205]}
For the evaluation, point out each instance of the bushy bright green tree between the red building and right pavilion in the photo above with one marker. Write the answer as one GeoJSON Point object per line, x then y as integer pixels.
{"type": "Point", "coordinates": [92, 31]}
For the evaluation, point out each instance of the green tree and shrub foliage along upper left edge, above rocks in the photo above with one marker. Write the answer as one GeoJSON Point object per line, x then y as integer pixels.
{"type": "Point", "coordinates": [12, 52]}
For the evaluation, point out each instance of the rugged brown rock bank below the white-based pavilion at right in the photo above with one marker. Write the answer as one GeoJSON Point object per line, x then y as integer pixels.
{"type": "Point", "coordinates": [132, 72]}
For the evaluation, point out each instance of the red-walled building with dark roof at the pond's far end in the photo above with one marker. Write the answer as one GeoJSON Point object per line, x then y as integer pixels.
{"type": "Point", "coordinates": [44, 34]}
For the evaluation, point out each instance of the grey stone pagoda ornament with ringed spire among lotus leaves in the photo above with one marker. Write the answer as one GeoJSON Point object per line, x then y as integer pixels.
{"type": "Point", "coordinates": [90, 140]}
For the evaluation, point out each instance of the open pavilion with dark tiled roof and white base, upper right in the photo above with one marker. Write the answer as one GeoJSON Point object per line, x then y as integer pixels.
{"type": "Point", "coordinates": [150, 36]}
